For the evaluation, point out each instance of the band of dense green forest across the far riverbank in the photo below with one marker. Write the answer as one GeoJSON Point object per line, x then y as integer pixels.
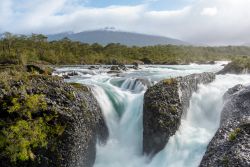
{"type": "Point", "coordinates": [36, 48]}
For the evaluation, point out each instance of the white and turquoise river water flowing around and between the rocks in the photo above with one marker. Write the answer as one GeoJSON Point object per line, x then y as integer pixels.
{"type": "Point", "coordinates": [121, 101]}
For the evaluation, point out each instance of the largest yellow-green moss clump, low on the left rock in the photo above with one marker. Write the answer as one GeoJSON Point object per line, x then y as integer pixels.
{"type": "Point", "coordinates": [22, 137]}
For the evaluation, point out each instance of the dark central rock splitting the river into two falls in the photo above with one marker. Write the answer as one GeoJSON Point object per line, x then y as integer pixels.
{"type": "Point", "coordinates": [164, 105]}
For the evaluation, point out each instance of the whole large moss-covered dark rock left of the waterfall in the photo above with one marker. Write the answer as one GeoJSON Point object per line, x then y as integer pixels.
{"type": "Point", "coordinates": [58, 122]}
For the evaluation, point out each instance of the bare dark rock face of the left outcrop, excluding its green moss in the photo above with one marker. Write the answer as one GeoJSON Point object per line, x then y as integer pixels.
{"type": "Point", "coordinates": [77, 109]}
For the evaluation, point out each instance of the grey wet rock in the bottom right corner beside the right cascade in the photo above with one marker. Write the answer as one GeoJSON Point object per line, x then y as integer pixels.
{"type": "Point", "coordinates": [230, 147]}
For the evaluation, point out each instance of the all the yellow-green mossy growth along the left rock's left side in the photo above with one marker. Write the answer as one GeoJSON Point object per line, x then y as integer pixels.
{"type": "Point", "coordinates": [26, 122]}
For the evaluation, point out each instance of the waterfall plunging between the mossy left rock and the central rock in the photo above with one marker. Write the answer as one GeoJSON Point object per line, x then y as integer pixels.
{"type": "Point", "coordinates": [125, 142]}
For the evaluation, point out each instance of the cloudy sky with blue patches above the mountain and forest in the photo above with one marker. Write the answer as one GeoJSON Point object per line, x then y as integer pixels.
{"type": "Point", "coordinates": [214, 22]}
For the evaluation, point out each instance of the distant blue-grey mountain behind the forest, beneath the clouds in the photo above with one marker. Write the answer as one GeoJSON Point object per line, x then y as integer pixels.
{"type": "Point", "coordinates": [105, 37]}
